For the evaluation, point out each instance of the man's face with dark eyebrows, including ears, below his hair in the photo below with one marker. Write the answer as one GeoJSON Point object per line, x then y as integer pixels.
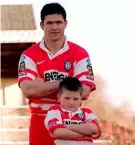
{"type": "Point", "coordinates": [54, 26]}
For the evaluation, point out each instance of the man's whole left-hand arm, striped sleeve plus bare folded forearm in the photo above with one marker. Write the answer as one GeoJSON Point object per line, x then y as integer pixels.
{"type": "Point", "coordinates": [28, 80]}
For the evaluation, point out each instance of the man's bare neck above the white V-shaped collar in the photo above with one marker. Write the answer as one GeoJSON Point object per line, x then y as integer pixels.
{"type": "Point", "coordinates": [54, 46]}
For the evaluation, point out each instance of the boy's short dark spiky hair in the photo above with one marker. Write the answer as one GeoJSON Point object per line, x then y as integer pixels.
{"type": "Point", "coordinates": [71, 84]}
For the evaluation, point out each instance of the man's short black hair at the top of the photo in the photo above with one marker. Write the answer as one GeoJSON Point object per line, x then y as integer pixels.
{"type": "Point", "coordinates": [52, 8]}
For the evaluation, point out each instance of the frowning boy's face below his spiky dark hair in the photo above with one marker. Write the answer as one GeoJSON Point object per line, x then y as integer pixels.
{"type": "Point", "coordinates": [70, 100]}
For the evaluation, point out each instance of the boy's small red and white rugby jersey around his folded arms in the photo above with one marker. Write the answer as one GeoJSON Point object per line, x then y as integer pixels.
{"type": "Point", "coordinates": [57, 117]}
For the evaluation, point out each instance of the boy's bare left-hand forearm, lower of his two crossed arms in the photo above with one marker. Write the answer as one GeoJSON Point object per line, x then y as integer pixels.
{"type": "Point", "coordinates": [64, 133]}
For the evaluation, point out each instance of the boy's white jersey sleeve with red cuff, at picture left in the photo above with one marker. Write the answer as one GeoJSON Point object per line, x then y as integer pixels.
{"type": "Point", "coordinates": [53, 120]}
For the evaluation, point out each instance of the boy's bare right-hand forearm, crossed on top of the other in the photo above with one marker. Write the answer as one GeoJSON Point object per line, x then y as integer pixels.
{"type": "Point", "coordinates": [85, 129]}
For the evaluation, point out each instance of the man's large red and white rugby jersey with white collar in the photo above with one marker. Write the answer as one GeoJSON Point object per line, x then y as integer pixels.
{"type": "Point", "coordinates": [71, 60]}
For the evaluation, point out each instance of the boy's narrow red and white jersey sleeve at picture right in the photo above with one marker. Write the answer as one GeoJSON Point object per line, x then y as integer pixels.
{"type": "Point", "coordinates": [93, 119]}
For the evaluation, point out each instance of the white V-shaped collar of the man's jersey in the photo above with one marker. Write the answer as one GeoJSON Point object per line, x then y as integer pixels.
{"type": "Point", "coordinates": [50, 55]}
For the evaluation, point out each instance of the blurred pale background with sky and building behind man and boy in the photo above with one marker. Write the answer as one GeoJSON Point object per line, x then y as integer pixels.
{"type": "Point", "coordinates": [106, 29]}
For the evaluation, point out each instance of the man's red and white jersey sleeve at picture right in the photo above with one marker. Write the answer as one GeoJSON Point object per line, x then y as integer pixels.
{"type": "Point", "coordinates": [83, 69]}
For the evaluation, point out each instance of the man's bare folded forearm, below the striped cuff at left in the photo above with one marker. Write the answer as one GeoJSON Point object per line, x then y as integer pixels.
{"type": "Point", "coordinates": [38, 88]}
